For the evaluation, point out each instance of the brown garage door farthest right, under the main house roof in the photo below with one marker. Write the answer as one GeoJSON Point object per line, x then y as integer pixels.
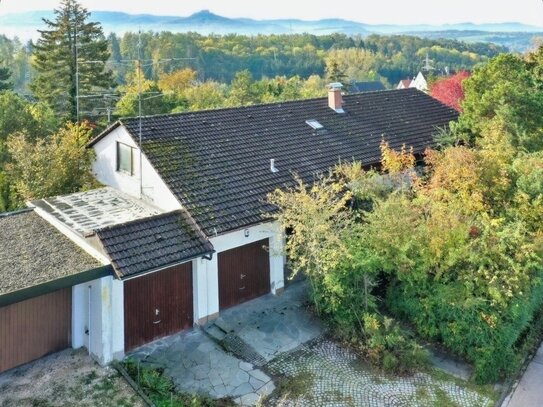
{"type": "Point", "coordinates": [244, 273]}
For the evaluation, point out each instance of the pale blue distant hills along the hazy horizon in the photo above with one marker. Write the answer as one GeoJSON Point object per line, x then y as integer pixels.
{"type": "Point", "coordinates": [516, 35]}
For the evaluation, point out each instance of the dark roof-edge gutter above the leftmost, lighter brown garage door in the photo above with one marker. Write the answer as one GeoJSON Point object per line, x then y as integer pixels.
{"type": "Point", "coordinates": [55, 285]}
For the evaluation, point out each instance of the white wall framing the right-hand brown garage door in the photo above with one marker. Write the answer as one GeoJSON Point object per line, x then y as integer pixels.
{"type": "Point", "coordinates": [206, 272]}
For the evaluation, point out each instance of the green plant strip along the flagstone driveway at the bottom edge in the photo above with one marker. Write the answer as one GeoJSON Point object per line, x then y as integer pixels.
{"type": "Point", "coordinates": [161, 390]}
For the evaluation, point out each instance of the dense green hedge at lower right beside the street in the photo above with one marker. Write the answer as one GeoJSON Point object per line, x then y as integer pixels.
{"type": "Point", "coordinates": [490, 338]}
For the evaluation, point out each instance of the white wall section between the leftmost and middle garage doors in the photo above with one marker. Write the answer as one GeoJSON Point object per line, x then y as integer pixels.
{"type": "Point", "coordinates": [103, 334]}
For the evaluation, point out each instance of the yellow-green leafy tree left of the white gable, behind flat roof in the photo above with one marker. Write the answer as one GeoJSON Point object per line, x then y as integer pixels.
{"type": "Point", "coordinates": [59, 164]}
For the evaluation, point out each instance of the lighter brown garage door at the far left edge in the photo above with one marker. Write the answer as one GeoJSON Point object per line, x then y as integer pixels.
{"type": "Point", "coordinates": [33, 328]}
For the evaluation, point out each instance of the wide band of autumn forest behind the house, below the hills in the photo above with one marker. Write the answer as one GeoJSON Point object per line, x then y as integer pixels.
{"type": "Point", "coordinates": [218, 58]}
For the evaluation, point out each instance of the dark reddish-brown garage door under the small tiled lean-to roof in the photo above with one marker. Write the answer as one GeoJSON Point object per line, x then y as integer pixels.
{"type": "Point", "coordinates": [157, 305]}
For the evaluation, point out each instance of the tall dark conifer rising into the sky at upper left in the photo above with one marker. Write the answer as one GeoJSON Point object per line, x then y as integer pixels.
{"type": "Point", "coordinates": [70, 37]}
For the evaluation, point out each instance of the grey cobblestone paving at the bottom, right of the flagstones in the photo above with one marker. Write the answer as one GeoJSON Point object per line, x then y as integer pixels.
{"type": "Point", "coordinates": [338, 378]}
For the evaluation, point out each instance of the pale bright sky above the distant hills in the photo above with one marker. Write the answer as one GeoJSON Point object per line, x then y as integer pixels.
{"type": "Point", "coordinates": [372, 12]}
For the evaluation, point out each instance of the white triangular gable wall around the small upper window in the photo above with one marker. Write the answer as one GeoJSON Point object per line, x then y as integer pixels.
{"type": "Point", "coordinates": [105, 171]}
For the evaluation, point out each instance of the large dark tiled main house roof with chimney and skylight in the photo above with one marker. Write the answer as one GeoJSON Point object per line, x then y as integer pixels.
{"type": "Point", "coordinates": [217, 162]}
